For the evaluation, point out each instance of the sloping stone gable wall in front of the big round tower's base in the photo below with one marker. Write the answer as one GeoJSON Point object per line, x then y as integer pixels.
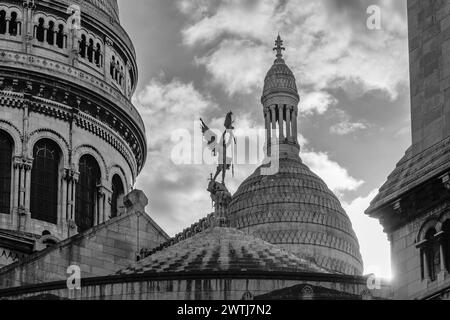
{"type": "Point", "coordinates": [100, 251]}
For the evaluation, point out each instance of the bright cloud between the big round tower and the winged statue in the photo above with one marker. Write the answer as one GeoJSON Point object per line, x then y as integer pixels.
{"type": "Point", "coordinates": [175, 191]}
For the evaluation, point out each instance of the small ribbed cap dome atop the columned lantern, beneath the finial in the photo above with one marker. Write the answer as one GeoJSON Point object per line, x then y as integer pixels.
{"type": "Point", "coordinates": [280, 79]}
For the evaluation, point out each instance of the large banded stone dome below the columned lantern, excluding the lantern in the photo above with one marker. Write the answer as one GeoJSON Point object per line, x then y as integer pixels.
{"type": "Point", "coordinates": [295, 210]}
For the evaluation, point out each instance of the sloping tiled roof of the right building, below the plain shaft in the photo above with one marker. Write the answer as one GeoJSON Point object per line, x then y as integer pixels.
{"type": "Point", "coordinates": [412, 171]}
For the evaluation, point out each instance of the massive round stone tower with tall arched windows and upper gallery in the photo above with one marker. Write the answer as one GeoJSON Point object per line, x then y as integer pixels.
{"type": "Point", "coordinates": [71, 142]}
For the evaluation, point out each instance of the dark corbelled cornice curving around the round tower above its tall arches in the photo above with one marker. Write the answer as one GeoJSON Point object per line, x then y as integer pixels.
{"type": "Point", "coordinates": [100, 120]}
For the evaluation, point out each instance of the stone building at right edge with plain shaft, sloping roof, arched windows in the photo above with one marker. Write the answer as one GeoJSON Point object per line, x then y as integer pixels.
{"type": "Point", "coordinates": [414, 204]}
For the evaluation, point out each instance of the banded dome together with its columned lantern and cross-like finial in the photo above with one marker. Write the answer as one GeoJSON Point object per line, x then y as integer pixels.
{"type": "Point", "coordinates": [292, 207]}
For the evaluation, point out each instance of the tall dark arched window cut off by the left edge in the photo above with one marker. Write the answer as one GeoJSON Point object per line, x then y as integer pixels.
{"type": "Point", "coordinates": [6, 149]}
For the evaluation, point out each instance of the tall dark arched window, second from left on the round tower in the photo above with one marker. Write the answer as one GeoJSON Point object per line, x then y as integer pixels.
{"type": "Point", "coordinates": [44, 181]}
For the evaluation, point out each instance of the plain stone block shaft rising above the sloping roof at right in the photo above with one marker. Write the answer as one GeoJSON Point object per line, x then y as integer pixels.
{"type": "Point", "coordinates": [429, 41]}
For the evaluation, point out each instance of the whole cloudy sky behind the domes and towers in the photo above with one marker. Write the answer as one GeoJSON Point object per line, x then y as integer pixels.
{"type": "Point", "coordinates": [202, 58]}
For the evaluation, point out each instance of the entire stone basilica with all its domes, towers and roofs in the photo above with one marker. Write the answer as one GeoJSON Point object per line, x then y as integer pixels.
{"type": "Point", "coordinates": [72, 145]}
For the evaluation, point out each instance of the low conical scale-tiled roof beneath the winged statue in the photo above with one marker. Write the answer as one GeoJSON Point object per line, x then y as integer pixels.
{"type": "Point", "coordinates": [222, 250]}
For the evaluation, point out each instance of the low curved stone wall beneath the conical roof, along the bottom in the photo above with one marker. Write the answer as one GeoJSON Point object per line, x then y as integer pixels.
{"type": "Point", "coordinates": [166, 287]}
